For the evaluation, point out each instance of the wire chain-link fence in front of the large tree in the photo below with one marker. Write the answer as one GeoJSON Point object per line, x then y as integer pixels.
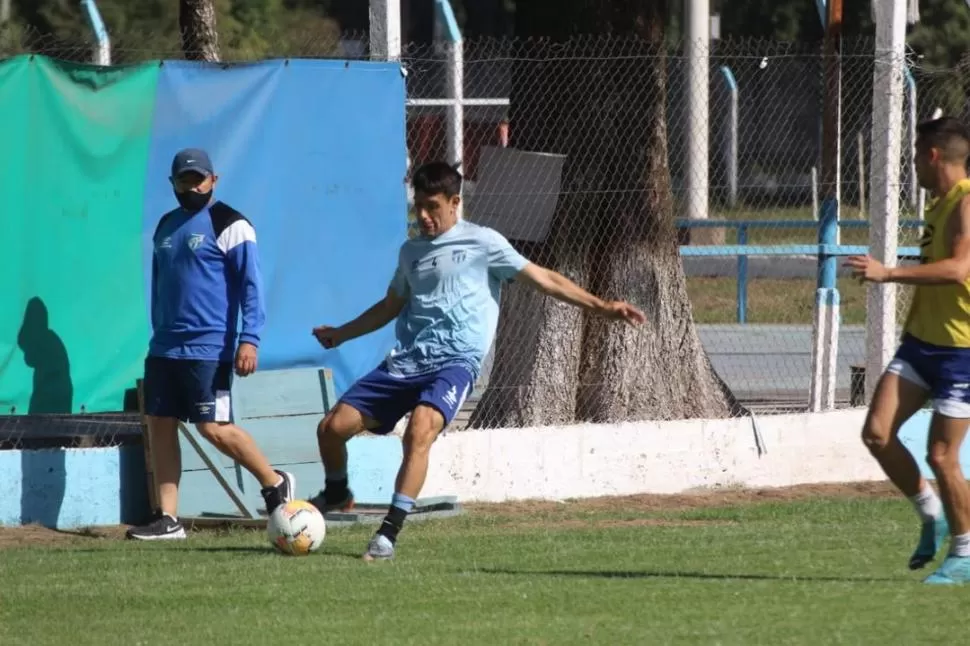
{"type": "Point", "coordinates": [579, 153]}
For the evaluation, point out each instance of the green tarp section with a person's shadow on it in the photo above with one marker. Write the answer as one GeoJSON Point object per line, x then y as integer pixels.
{"type": "Point", "coordinates": [73, 321]}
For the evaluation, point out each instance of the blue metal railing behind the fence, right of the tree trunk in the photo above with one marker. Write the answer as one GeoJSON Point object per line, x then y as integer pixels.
{"type": "Point", "coordinates": [825, 251]}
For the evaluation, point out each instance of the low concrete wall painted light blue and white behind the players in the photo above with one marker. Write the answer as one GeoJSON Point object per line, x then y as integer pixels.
{"type": "Point", "coordinates": [79, 487]}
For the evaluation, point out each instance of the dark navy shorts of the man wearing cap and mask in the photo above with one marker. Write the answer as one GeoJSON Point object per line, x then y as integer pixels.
{"type": "Point", "coordinates": [191, 390]}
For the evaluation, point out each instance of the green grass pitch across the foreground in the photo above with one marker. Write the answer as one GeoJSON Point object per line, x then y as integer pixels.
{"type": "Point", "coordinates": [819, 566]}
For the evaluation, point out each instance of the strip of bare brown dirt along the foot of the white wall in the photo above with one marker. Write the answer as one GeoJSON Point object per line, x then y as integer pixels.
{"type": "Point", "coordinates": [700, 499]}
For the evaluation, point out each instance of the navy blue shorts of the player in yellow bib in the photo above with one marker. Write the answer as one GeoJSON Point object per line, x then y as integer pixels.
{"type": "Point", "coordinates": [943, 372]}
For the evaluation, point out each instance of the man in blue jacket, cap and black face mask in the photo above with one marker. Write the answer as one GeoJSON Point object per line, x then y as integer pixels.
{"type": "Point", "coordinates": [205, 268]}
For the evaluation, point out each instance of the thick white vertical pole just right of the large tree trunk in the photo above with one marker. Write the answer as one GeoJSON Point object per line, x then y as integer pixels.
{"type": "Point", "coordinates": [698, 47]}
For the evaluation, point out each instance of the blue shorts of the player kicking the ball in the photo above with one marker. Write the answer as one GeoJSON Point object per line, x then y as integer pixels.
{"type": "Point", "coordinates": [385, 398]}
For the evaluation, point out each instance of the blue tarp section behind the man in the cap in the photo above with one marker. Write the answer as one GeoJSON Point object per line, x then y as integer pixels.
{"type": "Point", "coordinates": [314, 154]}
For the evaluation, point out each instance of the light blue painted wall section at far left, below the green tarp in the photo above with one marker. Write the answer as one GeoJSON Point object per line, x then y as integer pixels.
{"type": "Point", "coordinates": [67, 488]}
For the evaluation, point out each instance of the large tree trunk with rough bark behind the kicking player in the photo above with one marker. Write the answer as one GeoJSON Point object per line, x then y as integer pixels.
{"type": "Point", "coordinates": [600, 100]}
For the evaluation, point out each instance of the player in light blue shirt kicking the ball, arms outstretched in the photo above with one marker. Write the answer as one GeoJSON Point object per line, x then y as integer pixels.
{"type": "Point", "coordinates": [445, 297]}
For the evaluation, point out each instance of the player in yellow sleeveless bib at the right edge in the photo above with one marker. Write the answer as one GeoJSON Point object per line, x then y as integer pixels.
{"type": "Point", "coordinates": [933, 360]}
